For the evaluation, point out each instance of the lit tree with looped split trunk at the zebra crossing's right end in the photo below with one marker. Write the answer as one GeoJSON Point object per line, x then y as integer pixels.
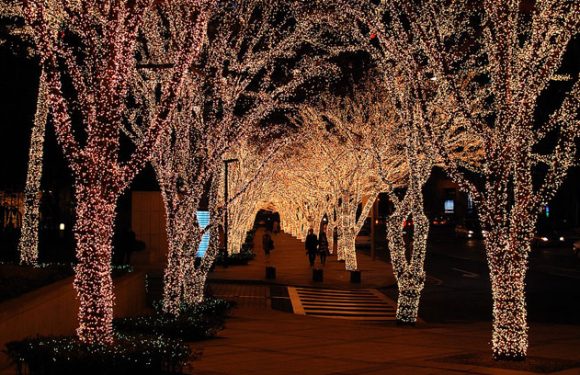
{"type": "Point", "coordinates": [390, 138]}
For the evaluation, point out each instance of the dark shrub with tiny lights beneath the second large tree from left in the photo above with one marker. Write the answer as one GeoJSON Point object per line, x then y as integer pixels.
{"type": "Point", "coordinates": [194, 323]}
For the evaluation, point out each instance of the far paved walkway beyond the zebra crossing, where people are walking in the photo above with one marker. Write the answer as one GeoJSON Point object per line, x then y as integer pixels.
{"type": "Point", "coordinates": [292, 267]}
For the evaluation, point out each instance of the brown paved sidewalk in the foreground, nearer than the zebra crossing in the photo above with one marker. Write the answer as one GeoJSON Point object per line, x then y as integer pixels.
{"type": "Point", "coordinates": [272, 342]}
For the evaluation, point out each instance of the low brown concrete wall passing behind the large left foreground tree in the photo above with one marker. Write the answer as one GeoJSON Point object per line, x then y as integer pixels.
{"type": "Point", "coordinates": [52, 310]}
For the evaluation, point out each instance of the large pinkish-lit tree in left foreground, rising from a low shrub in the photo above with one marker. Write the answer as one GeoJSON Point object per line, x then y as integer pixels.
{"type": "Point", "coordinates": [92, 54]}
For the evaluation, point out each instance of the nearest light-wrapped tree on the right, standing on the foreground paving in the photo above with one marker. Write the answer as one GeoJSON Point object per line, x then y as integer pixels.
{"type": "Point", "coordinates": [521, 53]}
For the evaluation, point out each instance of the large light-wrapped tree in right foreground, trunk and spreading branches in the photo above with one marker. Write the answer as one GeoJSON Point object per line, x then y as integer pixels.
{"type": "Point", "coordinates": [492, 63]}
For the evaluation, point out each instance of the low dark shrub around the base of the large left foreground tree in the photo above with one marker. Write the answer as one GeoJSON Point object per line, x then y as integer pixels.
{"type": "Point", "coordinates": [127, 355]}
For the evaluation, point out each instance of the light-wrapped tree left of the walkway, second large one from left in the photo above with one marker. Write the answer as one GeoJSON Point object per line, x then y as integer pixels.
{"type": "Point", "coordinates": [233, 86]}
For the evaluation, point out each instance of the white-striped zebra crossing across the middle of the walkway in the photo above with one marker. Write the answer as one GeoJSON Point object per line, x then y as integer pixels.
{"type": "Point", "coordinates": [361, 304]}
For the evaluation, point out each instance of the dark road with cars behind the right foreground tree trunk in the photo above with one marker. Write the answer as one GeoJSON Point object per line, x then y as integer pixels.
{"type": "Point", "coordinates": [458, 287]}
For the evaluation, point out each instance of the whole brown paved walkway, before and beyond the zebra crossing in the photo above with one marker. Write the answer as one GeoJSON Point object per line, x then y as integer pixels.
{"type": "Point", "coordinates": [258, 340]}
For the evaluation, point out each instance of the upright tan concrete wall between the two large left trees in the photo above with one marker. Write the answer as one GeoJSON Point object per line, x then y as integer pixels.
{"type": "Point", "coordinates": [148, 223]}
